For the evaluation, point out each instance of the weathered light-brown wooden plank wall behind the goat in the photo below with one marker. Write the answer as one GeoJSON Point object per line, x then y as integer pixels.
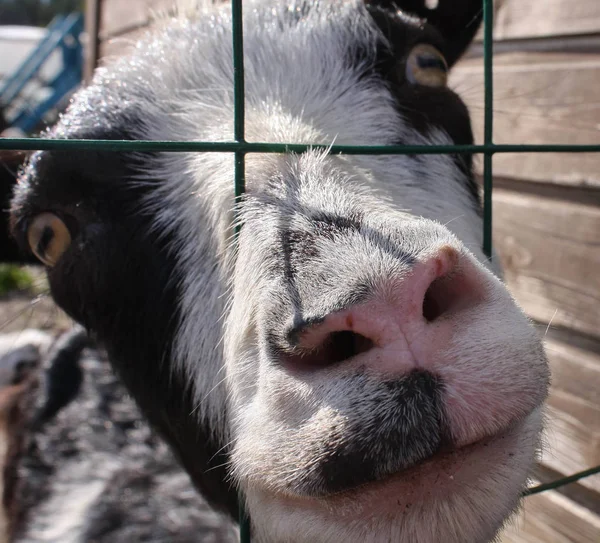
{"type": "Point", "coordinates": [546, 220]}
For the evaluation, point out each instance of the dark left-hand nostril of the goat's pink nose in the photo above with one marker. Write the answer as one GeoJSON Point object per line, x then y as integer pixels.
{"type": "Point", "coordinates": [336, 347]}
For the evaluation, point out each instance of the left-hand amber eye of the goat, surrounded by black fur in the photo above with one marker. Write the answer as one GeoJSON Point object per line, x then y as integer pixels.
{"type": "Point", "coordinates": [48, 238]}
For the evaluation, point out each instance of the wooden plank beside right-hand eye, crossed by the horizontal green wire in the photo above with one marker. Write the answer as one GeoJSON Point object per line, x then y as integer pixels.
{"type": "Point", "coordinates": [539, 99]}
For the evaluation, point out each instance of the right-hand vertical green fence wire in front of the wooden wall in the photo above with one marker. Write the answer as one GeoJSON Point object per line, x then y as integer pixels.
{"type": "Point", "coordinates": [488, 127]}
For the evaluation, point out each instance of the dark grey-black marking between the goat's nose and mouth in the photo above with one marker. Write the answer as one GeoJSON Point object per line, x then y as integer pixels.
{"type": "Point", "coordinates": [409, 431]}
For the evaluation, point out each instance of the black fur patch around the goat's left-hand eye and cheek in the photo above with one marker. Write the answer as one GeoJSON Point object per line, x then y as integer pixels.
{"type": "Point", "coordinates": [116, 273]}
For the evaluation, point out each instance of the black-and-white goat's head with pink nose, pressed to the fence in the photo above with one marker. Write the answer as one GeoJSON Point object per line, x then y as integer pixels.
{"type": "Point", "coordinates": [354, 367]}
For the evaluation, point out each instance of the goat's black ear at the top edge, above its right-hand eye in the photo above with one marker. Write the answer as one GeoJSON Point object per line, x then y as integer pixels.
{"type": "Point", "coordinates": [456, 20]}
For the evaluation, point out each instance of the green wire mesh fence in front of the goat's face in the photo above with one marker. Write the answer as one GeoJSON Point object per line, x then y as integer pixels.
{"type": "Point", "coordinates": [240, 147]}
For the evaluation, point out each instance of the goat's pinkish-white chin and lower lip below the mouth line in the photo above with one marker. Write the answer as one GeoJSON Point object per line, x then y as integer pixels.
{"type": "Point", "coordinates": [463, 496]}
